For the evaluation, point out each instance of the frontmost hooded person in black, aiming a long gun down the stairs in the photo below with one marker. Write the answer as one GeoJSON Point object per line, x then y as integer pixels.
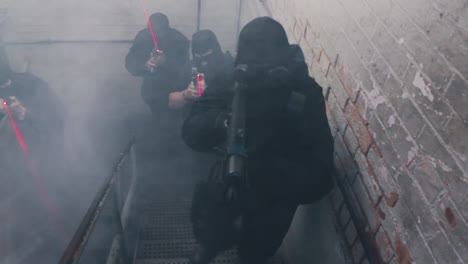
{"type": "Point", "coordinates": [288, 146]}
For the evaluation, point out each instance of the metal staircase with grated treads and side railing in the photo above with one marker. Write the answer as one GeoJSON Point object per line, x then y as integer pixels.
{"type": "Point", "coordinates": [137, 219]}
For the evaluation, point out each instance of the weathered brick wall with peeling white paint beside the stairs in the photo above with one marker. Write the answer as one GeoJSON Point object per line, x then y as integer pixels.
{"type": "Point", "coordinates": [394, 76]}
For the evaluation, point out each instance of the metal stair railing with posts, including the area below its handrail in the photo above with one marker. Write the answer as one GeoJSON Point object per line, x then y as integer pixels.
{"type": "Point", "coordinates": [110, 211]}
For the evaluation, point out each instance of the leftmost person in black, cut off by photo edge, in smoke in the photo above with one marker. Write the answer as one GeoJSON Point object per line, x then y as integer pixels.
{"type": "Point", "coordinates": [34, 165]}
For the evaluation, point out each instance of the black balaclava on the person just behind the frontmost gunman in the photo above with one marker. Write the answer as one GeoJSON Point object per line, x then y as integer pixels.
{"type": "Point", "coordinates": [202, 41]}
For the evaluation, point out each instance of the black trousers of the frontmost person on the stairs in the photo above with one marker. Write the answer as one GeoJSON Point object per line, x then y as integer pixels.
{"type": "Point", "coordinates": [257, 230]}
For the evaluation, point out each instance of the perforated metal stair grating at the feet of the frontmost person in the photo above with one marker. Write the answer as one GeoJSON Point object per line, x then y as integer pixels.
{"type": "Point", "coordinates": [166, 234]}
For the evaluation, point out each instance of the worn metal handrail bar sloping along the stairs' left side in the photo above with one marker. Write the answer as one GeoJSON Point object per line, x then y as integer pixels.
{"type": "Point", "coordinates": [81, 236]}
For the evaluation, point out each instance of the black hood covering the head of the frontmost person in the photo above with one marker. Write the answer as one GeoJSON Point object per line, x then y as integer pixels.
{"type": "Point", "coordinates": [262, 41]}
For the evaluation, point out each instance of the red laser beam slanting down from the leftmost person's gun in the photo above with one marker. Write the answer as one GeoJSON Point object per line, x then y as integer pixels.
{"type": "Point", "coordinates": [31, 165]}
